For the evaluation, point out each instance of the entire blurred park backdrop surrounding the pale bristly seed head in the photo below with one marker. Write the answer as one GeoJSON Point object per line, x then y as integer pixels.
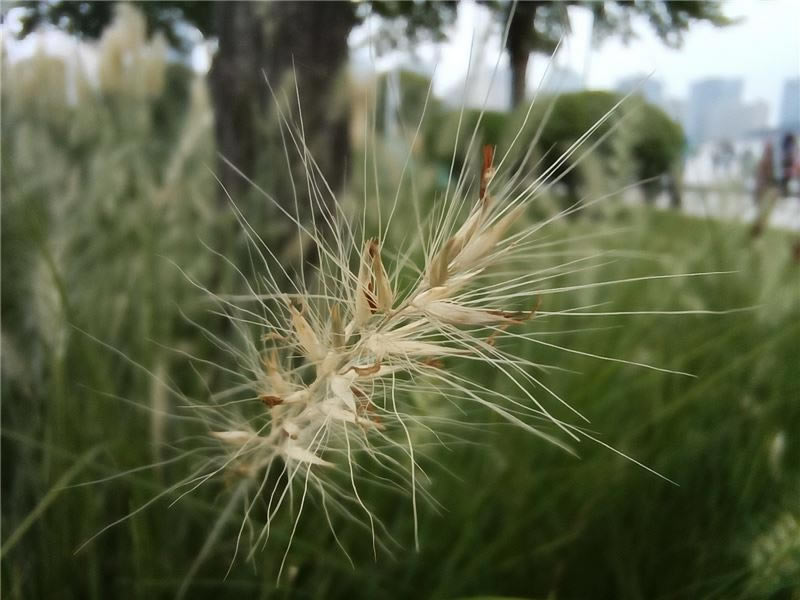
{"type": "Point", "coordinates": [114, 117]}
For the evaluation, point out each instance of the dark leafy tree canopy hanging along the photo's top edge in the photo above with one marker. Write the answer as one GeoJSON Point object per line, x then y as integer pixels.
{"type": "Point", "coordinates": [534, 25]}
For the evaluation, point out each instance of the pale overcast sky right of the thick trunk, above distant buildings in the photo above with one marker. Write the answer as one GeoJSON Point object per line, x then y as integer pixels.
{"type": "Point", "coordinates": [763, 49]}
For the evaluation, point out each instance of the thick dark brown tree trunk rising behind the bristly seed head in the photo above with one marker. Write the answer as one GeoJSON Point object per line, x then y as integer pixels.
{"type": "Point", "coordinates": [278, 38]}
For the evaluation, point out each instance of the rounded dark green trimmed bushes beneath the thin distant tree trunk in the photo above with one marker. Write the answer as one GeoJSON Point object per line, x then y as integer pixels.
{"type": "Point", "coordinates": [637, 133]}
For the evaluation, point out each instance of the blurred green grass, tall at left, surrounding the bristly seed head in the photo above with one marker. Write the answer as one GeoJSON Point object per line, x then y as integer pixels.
{"type": "Point", "coordinates": [95, 213]}
